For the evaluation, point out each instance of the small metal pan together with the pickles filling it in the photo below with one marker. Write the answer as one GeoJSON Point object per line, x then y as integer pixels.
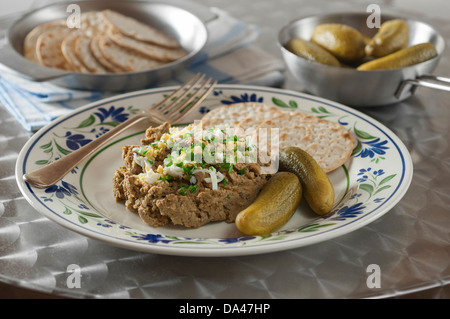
{"type": "Point", "coordinates": [339, 57]}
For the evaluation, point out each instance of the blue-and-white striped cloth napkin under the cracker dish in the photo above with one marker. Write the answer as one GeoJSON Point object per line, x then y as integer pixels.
{"type": "Point", "coordinates": [228, 57]}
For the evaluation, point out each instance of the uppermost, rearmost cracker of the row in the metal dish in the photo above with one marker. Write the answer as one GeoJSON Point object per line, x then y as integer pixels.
{"type": "Point", "coordinates": [137, 30]}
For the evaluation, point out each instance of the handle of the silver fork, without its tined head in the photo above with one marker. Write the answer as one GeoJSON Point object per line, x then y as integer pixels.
{"type": "Point", "coordinates": [50, 174]}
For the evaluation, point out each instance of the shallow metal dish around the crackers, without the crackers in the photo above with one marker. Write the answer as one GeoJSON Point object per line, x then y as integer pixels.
{"type": "Point", "coordinates": [175, 21]}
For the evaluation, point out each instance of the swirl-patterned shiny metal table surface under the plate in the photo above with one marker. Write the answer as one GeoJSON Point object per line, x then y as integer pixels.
{"type": "Point", "coordinates": [411, 243]}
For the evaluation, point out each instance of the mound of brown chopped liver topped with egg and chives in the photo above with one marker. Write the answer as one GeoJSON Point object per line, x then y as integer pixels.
{"type": "Point", "coordinates": [180, 176]}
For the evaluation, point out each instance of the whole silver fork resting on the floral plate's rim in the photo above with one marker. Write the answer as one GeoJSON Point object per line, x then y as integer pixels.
{"type": "Point", "coordinates": [175, 106]}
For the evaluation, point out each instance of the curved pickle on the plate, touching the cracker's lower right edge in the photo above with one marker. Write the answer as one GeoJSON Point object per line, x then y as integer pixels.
{"type": "Point", "coordinates": [317, 187]}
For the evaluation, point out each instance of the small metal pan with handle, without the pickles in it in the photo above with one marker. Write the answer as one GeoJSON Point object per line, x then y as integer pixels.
{"type": "Point", "coordinates": [361, 88]}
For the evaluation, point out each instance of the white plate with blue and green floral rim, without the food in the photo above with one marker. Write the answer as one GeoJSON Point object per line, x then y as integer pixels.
{"type": "Point", "coordinates": [372, 181]}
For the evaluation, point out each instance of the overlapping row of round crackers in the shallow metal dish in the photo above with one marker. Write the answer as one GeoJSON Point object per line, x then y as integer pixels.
{"type": "Point", "coordinates": [105, 42]}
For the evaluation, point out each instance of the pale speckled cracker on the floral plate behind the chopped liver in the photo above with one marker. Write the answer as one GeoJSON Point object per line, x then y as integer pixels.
{"type": "Point", "coordinates": [329, 143]}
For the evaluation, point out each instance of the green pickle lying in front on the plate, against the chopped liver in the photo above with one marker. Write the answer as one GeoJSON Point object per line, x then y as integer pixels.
{"type": "Point", "coordinates": [274, 206]}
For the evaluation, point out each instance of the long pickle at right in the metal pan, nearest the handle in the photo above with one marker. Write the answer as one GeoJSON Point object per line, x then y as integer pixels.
{"type": "Point", "coordinates": [402, 58]}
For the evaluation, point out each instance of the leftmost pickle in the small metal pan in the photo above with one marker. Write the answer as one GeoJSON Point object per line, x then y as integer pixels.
{"type": "Point", "coordinates": [310, 51]}
